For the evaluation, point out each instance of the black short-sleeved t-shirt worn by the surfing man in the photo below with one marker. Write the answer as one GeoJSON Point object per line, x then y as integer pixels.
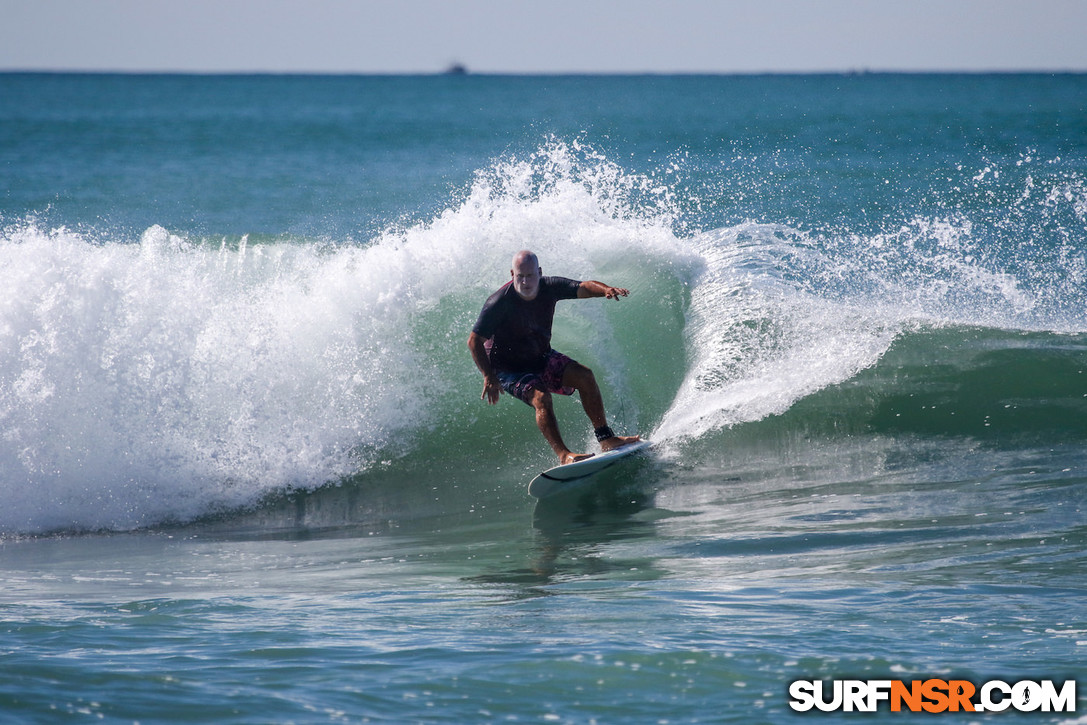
{"type": "Point", "coordinates": [518, 331]}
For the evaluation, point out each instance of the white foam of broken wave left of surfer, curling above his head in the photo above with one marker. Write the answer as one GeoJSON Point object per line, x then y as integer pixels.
{"type": "Point", "coordinates": [165, 379]}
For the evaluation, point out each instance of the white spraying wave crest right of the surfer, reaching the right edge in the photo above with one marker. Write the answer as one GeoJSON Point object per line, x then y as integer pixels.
{"type": "Point", "coordinates": [779, 315]}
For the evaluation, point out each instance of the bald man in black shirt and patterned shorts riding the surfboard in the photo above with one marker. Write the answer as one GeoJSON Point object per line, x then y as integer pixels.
{"type": "Point", "coordinates": [511, 346]}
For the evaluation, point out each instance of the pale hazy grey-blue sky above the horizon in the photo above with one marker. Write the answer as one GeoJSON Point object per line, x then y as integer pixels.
{"type": "Point", "coordinates": [542, 36]}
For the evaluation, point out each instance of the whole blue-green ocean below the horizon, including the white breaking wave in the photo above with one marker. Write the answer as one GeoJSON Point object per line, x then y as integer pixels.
{"type": "Point", "coordinates": [246, 476]}
